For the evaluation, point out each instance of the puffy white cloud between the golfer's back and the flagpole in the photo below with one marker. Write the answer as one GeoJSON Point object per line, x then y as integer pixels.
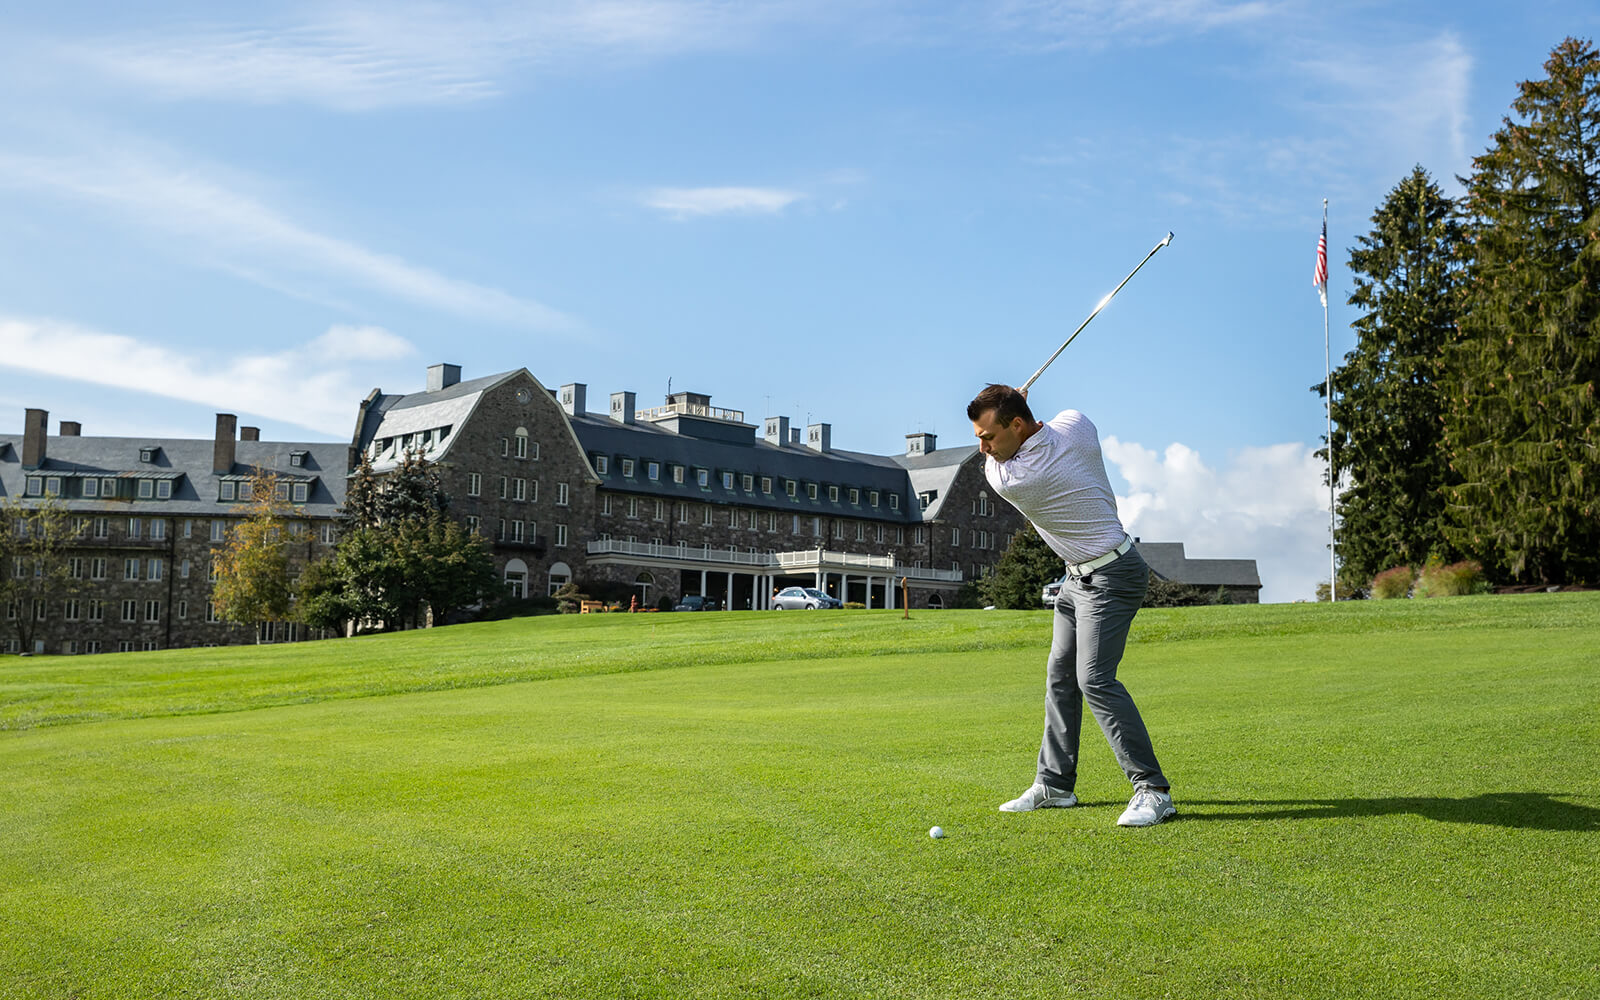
{"type": "Point", "coordinates": [1268, 505]}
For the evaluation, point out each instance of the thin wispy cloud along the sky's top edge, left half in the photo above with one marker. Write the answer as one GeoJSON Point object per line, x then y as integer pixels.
{"type": "Point", "coordinates": [361, 57]}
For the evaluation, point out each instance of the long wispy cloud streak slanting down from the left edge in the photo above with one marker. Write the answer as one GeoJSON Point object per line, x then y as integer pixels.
{"type": "Point", "coordinates": [244, 236]}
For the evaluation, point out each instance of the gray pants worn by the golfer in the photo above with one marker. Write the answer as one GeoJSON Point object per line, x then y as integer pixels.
{"type": "Point", "coordinates": [1092, 622]}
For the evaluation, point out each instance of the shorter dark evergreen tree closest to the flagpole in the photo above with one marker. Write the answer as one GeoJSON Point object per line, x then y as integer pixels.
{"type": "Point", "coordinates": [1386, 396]}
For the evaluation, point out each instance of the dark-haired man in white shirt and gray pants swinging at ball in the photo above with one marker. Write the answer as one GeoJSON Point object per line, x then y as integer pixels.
{"type": "Point", "coordinates": [1054, 473]}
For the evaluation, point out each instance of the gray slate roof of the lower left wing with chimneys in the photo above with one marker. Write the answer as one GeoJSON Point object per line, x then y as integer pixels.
{"type": "Point", "coordinates": [186, 463]}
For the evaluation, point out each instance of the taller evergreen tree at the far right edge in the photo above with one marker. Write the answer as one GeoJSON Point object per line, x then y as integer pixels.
{"type": "Point", "coordinates": [1524, 423]}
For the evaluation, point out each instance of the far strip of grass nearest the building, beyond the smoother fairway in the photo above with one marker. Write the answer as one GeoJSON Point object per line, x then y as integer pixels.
{"type": "Point", "coordinates": [66, 690]}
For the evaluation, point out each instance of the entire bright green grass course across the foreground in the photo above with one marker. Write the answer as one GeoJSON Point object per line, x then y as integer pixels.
{"type": "Point", "coordinates": [1391, 799]}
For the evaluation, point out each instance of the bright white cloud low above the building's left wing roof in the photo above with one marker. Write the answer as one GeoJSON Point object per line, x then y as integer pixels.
{"type": "Point", "coordinates": [314, 383]}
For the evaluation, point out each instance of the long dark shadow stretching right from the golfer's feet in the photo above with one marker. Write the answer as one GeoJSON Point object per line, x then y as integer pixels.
{"type": "Point", "coordinates": [1513, 810]}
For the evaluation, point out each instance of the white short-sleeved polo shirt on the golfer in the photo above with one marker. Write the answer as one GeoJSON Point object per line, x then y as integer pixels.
{"type": "Point", "coordinates": [1058, 481]}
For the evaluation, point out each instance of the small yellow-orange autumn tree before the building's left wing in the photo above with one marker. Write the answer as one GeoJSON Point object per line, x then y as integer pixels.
{"type": "Point", "coordinates": [254, 569]}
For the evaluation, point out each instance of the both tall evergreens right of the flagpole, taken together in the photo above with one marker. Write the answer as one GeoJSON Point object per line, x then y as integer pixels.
{"type": "Point", "coordinates": [1466, 422]}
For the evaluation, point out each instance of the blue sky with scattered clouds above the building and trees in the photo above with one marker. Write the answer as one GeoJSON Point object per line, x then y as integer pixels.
{"type": "Point", "coordinates": [855, 214]}
